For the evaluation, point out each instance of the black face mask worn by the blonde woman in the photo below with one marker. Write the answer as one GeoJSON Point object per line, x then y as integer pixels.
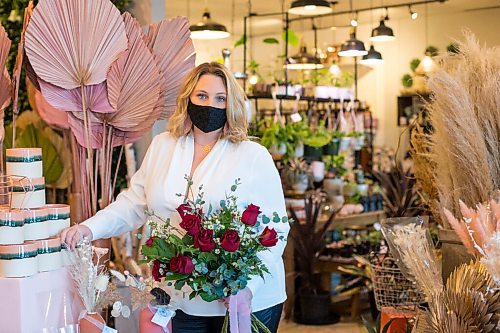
{"type": "Point", "coordinates": [206, 118]}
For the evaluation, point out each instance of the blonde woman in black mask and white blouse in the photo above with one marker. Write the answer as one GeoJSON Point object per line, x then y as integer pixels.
{"type": "Point", "coordinates": [207, 140]}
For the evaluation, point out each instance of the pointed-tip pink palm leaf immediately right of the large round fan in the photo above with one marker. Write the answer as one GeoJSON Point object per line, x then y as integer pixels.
{"type": "Point", "coordinates": [134, 84]}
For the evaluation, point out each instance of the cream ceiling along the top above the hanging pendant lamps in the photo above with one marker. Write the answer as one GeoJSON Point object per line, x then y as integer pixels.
{"type": "Point", "coordinates": [231, 12]}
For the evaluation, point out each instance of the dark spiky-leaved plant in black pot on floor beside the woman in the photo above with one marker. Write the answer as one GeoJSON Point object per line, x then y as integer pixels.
{"type": "Point", "coordinates": [308, 237]}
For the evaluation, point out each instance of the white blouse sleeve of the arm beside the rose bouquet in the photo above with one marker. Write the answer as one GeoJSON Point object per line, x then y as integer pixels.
{"type": "Point", "coordinates": [267, 193]}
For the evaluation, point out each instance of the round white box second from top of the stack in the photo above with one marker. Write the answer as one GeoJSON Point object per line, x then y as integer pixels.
{"type": "Point", "coordinates": [28, 193]}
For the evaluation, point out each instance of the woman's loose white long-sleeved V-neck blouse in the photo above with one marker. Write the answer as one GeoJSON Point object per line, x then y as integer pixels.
{"type": "Point", "coordinates": [162, 176]}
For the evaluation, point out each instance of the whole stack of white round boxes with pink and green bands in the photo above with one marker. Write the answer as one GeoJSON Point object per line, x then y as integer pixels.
{"type": "Point", "coordinates": [28, 227]}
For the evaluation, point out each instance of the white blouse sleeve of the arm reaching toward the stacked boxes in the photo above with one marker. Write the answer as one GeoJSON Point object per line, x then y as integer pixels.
{"type": "Point", "coordinates": [127, 212]}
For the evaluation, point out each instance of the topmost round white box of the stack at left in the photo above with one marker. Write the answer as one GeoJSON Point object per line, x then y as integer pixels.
{"type": "Point", "coordinates": [26, 162]}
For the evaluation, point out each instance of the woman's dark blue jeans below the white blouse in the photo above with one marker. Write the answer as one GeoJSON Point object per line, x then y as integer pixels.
{"type": "Point", "coordinates": [184, 323]}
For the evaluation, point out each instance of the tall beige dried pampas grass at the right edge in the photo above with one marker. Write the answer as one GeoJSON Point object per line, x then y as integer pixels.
{"type": "Point", "coordinates": [465, 114]}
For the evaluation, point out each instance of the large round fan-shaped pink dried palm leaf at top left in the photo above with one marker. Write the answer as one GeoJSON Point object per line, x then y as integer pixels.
{"type": "Point", "coordinates": [72, 43]}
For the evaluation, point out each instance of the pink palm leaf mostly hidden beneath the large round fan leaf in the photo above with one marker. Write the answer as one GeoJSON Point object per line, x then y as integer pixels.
{"type": "Point", "coordinates": [96, 97]}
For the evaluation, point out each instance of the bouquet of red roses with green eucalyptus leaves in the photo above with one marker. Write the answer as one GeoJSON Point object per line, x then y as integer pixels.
{"type": "Point", "coordinates": [214, 253]}
